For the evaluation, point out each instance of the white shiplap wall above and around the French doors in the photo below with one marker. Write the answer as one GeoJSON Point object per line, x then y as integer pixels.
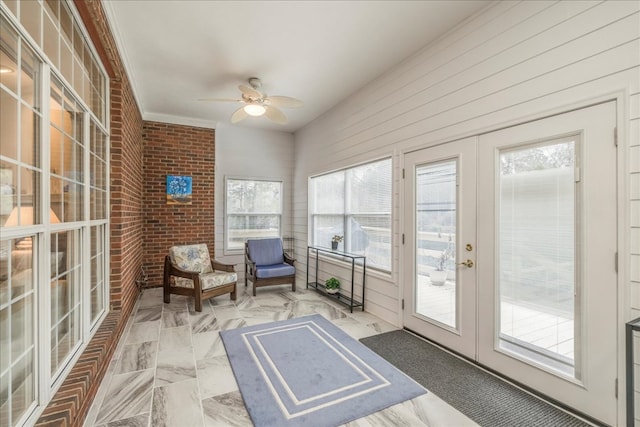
{"type": "Point", "coordinates": [510, 63]}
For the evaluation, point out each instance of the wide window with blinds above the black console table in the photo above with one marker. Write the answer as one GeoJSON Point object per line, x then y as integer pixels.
{"type": "Point", "coordinates": [355, 203]}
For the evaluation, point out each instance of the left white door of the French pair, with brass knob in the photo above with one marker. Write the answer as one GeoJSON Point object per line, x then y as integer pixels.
{"type": "Point", "coordinates": [440, 234]}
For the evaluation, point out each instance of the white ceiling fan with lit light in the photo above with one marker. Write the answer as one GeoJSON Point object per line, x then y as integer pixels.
{"type": "Point", "coordinates": [257, 103]}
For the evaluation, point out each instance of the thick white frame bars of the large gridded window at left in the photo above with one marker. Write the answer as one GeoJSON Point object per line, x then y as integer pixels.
{"type": "Point", "coordinates": [47, 382]}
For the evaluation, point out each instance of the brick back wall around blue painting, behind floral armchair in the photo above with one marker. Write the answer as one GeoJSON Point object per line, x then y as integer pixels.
{"type": "Point", "coordinates": [176, 150]}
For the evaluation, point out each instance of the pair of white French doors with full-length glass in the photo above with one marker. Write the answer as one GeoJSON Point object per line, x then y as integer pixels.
{"type": "Point", "coordinates": [535, 299]}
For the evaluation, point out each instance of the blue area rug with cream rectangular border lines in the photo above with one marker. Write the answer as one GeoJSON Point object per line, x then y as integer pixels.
{"type": "Point", "coordinates": [308, 372]}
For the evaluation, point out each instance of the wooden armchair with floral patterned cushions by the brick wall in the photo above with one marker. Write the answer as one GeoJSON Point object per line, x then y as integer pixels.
{"type": "Point", "coordinates": [188, 270]}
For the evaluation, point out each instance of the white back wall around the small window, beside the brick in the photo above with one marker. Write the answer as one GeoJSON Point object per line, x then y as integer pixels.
{"type": "Point", "coordinates": [250, 153]}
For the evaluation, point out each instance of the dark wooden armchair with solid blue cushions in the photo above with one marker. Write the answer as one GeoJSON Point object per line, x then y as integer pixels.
{"type": "Point", "coordinates": [266, 264]}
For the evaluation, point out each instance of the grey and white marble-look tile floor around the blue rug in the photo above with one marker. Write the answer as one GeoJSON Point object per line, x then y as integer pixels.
{"type": "Point", "coordinates": [170, 367]}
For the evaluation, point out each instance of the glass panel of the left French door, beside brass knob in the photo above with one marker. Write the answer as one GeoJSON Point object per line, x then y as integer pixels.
{"type": "Point", "coordinates": [436, 220]}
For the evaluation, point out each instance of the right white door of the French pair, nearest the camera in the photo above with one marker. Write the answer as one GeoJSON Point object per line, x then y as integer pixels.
{"type": "Point", "coordinates": [548, 285]}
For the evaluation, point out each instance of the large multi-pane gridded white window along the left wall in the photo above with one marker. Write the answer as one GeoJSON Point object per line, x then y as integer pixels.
{"type": "Point", "coordinates": [54, 162]}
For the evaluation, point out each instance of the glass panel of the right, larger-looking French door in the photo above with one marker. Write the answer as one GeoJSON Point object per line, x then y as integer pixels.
{"type": "Point", "coordinates": [537, 252]}
